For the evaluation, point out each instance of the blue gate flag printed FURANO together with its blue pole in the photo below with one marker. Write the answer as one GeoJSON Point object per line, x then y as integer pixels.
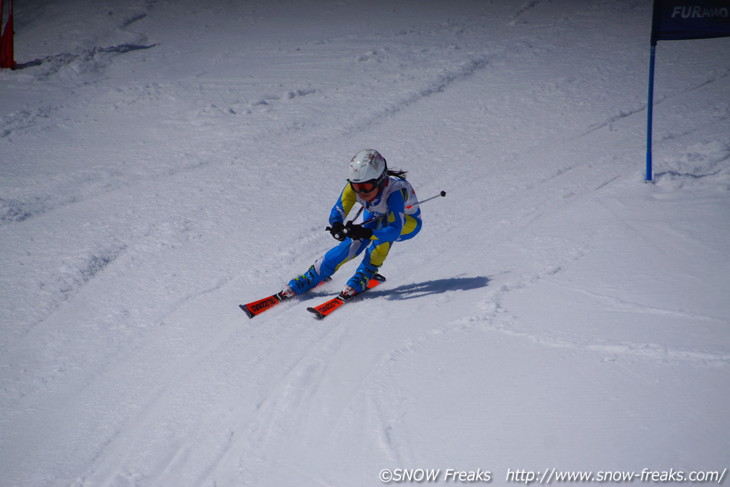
{"type": "Point", "coordinates": [677, 20]}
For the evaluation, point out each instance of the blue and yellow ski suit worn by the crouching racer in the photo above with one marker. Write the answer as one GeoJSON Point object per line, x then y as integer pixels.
{"type": "Point", "coordinates": [395, 217]}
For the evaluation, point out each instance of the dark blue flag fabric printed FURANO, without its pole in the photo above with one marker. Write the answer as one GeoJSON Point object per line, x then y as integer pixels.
{"type": "Point", "coordinates": [690, 19]}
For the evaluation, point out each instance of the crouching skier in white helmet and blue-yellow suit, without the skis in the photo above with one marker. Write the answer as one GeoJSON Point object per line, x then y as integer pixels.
{"type": "Point", "coordinates": [391, 215]}
